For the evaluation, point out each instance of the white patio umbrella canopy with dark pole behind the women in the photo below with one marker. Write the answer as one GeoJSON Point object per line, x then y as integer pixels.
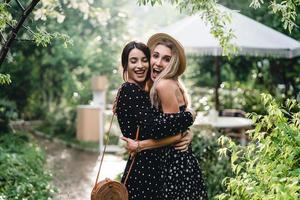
{"type": "Point", "coordinates": [252, 38]}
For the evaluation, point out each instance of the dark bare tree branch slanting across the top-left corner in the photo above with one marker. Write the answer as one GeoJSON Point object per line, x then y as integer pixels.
{"type": "Point", "coordinates": [15, 30]}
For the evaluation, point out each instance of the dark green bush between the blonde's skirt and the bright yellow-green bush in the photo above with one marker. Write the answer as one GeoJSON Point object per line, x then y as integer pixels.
{"type": "Point", "coordinates": [214, 167]}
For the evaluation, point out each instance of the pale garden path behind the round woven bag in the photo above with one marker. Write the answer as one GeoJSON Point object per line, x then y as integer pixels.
{"type": "Point", "coordinates": [74, 171]}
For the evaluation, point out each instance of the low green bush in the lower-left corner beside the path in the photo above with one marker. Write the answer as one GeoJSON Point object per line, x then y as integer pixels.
{"type": "Point", "coordinates": [22, 175]}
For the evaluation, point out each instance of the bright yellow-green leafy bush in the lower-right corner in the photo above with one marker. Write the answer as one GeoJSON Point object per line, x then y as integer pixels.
{"type": "Point", "coordinates": [268, 167]}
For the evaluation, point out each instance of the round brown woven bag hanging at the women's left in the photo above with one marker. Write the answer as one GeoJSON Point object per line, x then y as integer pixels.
{"type": "Point", "coordinates": [109, 190]}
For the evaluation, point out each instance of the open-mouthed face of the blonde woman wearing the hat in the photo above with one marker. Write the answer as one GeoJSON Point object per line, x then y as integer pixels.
{"type": "Point", "coordinates": [160, 59]}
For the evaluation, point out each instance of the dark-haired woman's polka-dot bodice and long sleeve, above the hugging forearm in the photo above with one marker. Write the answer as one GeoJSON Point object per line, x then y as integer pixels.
{"type": "Point", "coordinates": [133, 106]}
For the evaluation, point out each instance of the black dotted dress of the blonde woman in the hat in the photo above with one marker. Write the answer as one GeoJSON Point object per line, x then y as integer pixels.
{"type": "Point", "coordinates": [182, 178]}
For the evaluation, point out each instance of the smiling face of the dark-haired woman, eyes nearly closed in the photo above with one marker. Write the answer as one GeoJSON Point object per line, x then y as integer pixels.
{"type": "Point", "coordinates": [138, 66]}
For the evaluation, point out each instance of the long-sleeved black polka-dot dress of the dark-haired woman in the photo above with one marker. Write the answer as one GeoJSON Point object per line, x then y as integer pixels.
{"type": "Point", "coordinates": [134, 109]}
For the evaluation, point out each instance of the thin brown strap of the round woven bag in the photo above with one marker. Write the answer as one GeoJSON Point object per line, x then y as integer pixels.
{"type": "Point", "coordinates": [107, 140]}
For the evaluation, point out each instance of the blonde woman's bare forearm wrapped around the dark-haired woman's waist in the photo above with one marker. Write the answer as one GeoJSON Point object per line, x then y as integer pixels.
{"type": "Point", "coordinates": [152, 144]}
